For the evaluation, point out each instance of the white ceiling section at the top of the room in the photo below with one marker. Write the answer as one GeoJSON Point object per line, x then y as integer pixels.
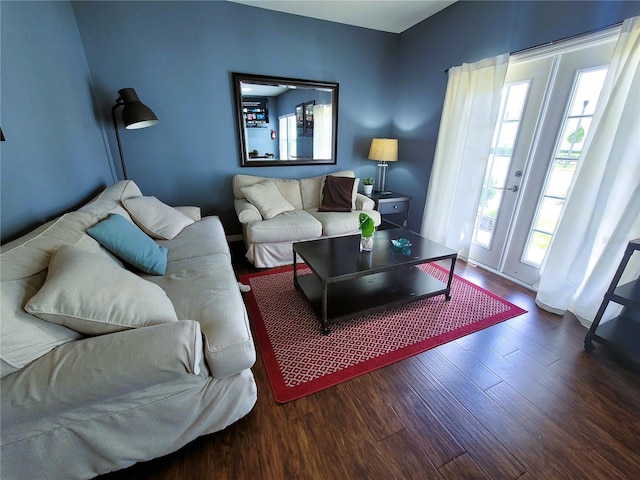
{"type": "Point", "coordinates": [393, 16]}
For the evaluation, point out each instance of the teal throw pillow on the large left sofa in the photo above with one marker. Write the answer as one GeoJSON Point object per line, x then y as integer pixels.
{"type": "Point", "coordinates": [126, 241]}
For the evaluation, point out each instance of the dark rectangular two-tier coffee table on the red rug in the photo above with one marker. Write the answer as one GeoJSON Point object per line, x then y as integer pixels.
{"type": "Point", "coordinates": [346, 282]}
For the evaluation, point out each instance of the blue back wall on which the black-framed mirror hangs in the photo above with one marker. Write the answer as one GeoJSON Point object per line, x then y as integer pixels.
{"type": "Point", "coordinates": [179, 57]}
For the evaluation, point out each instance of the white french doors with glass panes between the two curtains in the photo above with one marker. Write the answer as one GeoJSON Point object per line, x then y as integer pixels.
{"type": "Point", "coordinates": [547, 104]}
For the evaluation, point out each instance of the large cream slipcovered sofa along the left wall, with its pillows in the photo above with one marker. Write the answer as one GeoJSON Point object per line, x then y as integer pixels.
{"type": "Point", "coordinates": [113, 366]}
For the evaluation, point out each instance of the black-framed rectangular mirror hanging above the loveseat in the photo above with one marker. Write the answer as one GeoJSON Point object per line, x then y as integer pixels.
{"type": "Point", "coordinates": [285, 121]}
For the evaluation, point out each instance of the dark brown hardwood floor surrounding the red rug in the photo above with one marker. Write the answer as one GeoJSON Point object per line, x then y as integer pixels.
{"type": "Point", "coordinates": [519, 400]}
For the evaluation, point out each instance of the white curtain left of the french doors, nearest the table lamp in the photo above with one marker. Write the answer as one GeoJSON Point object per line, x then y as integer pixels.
{"type": "Point", "coordinates": [469, 116]}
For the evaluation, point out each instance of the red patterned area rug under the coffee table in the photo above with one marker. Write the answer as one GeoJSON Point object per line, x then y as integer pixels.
{"type": "Point", "coordinates": [300, 360]}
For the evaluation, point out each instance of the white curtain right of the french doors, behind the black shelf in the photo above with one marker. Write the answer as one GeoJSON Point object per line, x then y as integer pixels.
{"type": "Point", "coordinates": [602, 212]}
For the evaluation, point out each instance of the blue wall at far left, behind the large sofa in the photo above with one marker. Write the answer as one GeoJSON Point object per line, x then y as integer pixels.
{"type": "Point", "coordinates": [54, 156]}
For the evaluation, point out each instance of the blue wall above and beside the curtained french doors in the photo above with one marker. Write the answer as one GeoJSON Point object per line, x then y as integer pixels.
{"type": "Point", "coordinates": [463, 33]}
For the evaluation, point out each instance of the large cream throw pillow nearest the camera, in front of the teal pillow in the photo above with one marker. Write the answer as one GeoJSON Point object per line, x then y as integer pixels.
{"type": "Point", "coordinates": [92, 295]}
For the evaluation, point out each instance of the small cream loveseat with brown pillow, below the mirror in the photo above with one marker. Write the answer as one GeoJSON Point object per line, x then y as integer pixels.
{"type": "Point", "coordinates": [276, 212]}
